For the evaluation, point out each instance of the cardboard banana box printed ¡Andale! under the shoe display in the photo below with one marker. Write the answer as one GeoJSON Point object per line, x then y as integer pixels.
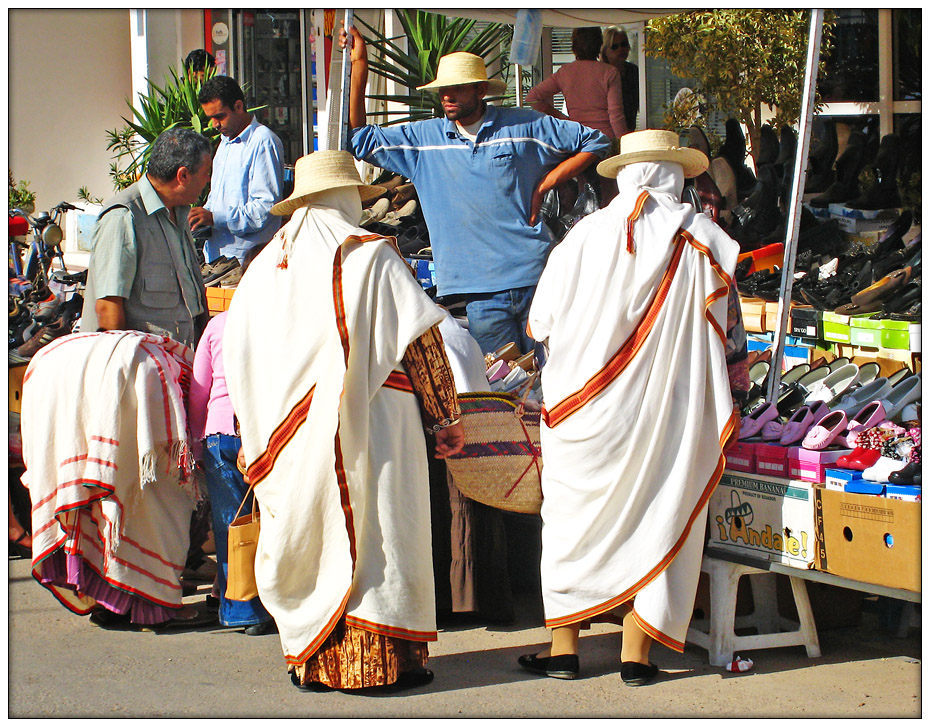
{"type": "Point", "coordinates": [771, 518]}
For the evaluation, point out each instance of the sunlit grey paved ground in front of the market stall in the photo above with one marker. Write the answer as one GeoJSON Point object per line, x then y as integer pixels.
{"type": "Point", "coordinates": [62, 666]}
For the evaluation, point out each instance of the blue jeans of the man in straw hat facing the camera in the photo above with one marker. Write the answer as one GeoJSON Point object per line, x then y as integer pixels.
{"type": "Point", "coordinates": [496, 319]}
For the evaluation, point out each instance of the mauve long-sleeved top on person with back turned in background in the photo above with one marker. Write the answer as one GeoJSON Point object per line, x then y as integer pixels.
{"type": "Point", "coordinates": [593, 94]}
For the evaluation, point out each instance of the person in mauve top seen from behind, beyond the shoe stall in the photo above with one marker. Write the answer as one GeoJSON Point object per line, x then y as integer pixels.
{"type": "Point", "coordinates": [593, 94]}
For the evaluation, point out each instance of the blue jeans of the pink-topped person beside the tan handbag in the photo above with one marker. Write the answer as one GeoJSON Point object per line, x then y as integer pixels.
{"type": "Point", "coordinates": [227, 488]}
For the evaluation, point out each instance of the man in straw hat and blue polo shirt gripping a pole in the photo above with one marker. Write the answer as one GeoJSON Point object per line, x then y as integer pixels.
{"type": "Point", "coordinates": [481, 174]}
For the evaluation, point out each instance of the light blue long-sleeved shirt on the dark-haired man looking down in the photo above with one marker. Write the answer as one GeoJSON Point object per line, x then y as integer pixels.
{"type": "Point", "coordinates": [248, 178]}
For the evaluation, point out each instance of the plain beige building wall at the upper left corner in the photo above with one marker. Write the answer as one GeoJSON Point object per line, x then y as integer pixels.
{"type": "Point", "coordinates": [69, 78]}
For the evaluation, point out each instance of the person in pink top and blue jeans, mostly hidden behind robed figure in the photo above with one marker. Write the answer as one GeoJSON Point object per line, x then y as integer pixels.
{"type": "Point", "coordinates": [212, 422]}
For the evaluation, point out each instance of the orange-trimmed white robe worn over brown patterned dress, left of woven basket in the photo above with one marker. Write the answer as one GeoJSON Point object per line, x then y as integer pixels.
{"type": "Point", "coordinates": [331, 430]}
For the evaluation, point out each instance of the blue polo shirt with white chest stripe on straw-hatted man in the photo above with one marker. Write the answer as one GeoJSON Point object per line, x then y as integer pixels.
{"type": "Point", "coordinates": [476, 197]}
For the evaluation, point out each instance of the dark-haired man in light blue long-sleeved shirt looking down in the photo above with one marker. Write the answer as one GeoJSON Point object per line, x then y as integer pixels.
{"type": "Point", "coordinates": [248, 176]}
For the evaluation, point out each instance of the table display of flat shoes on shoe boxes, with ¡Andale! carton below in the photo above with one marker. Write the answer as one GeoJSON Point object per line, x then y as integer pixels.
{"type": "Point", "coordinates": [829, 475]}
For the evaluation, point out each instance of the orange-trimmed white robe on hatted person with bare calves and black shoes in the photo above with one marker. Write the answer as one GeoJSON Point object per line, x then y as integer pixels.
{"type": "Point", "coordinates": [637, 402]}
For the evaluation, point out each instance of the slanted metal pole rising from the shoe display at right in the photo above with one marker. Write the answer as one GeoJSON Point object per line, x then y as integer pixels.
{"type": "Point", "coordinates": [794, 213]}
